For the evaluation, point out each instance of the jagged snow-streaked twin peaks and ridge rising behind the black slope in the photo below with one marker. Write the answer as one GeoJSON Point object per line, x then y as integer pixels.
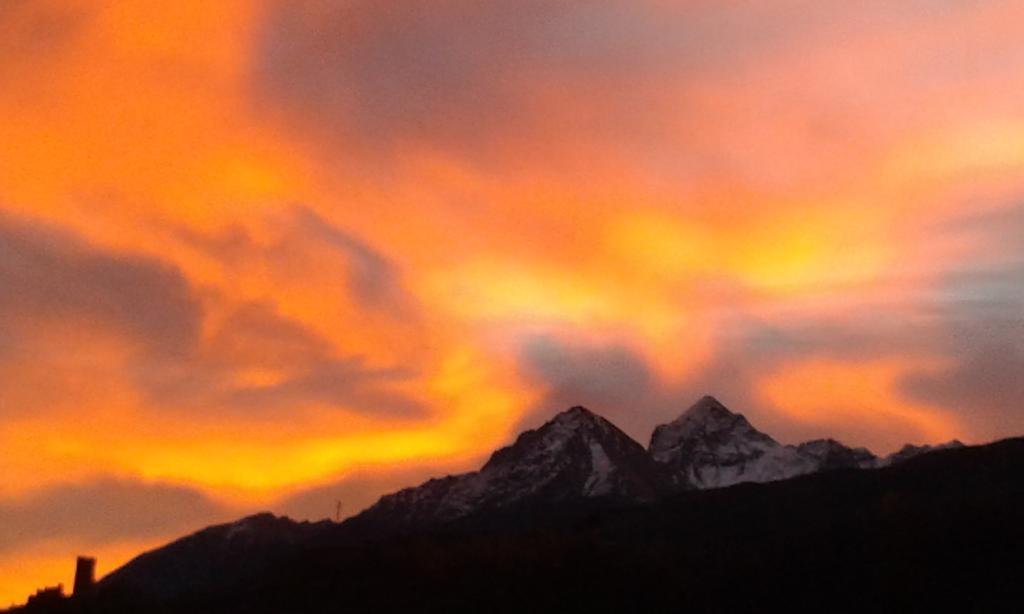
{"type": "Point", "coordinates": [580, 456]}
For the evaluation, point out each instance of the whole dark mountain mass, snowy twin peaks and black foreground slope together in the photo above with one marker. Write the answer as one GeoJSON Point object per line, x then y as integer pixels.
{"type": "Point", "coordinates": [714, 516]}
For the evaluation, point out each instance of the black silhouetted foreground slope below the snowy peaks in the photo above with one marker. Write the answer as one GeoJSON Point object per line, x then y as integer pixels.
{"type": "Point", "coordinates": [943, 533]}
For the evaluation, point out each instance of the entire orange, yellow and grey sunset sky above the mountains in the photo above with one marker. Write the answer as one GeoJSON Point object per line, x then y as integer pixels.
{"type": "Point", "coordinates": [275, 254]}
